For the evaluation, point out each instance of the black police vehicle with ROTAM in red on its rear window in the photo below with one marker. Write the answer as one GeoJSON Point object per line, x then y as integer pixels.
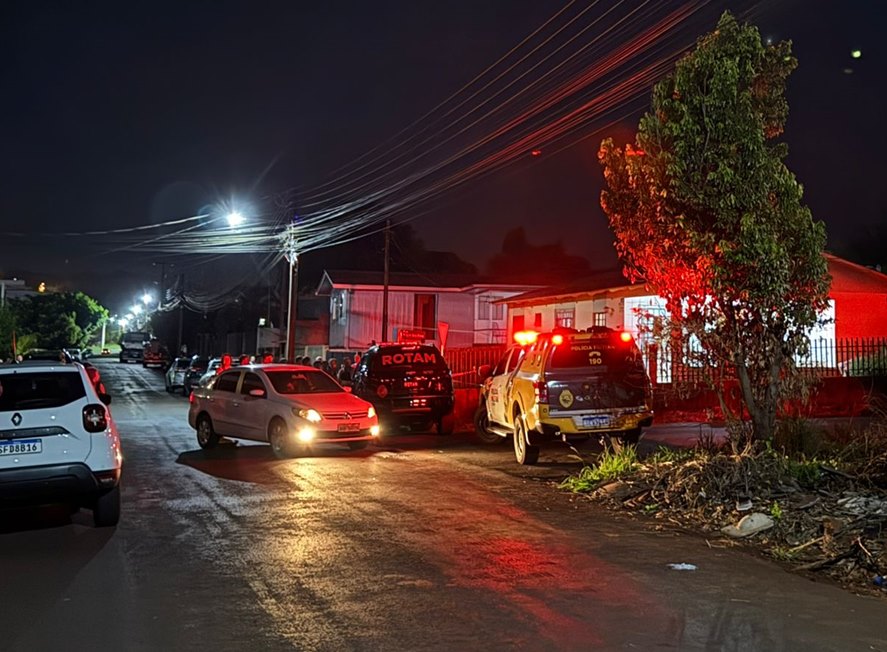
{"type": "Point", "coordinates": [408, 384]}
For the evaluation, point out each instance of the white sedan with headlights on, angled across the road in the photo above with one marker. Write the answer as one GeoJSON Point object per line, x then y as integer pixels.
{"type": "Point", "coordinates": [289, 406]}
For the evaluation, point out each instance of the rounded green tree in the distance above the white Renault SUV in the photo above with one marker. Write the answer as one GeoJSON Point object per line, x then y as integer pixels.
{"type": "Point", "coordinates": [59, 320]}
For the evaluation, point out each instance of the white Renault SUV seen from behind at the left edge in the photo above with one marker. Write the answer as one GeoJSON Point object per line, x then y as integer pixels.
{"type": "Point", "coordinates": [58, 442]}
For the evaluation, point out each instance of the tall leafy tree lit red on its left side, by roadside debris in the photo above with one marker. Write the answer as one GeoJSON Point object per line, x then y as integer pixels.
{"type": "Point", "coordinates": [706, 212]}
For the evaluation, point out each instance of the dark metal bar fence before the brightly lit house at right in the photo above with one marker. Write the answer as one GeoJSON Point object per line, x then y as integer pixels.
{"type": "Point", "coordinates": [680, 363]}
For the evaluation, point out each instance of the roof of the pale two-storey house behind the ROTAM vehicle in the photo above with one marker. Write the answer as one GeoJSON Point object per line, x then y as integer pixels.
{"type": "Point", "coordinates": [373, 280]}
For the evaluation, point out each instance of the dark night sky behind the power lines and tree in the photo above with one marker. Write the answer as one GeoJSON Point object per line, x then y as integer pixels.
{"type": "Point", "coordinates": [122, 114]}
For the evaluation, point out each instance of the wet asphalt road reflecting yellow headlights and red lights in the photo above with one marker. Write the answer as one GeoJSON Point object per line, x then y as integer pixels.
{"type": "Point", "coordinates": [424, 543]}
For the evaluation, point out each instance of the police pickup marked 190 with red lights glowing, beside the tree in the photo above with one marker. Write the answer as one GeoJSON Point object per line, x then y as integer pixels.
{"type": "Point", "coordinates": [566, 385]}
